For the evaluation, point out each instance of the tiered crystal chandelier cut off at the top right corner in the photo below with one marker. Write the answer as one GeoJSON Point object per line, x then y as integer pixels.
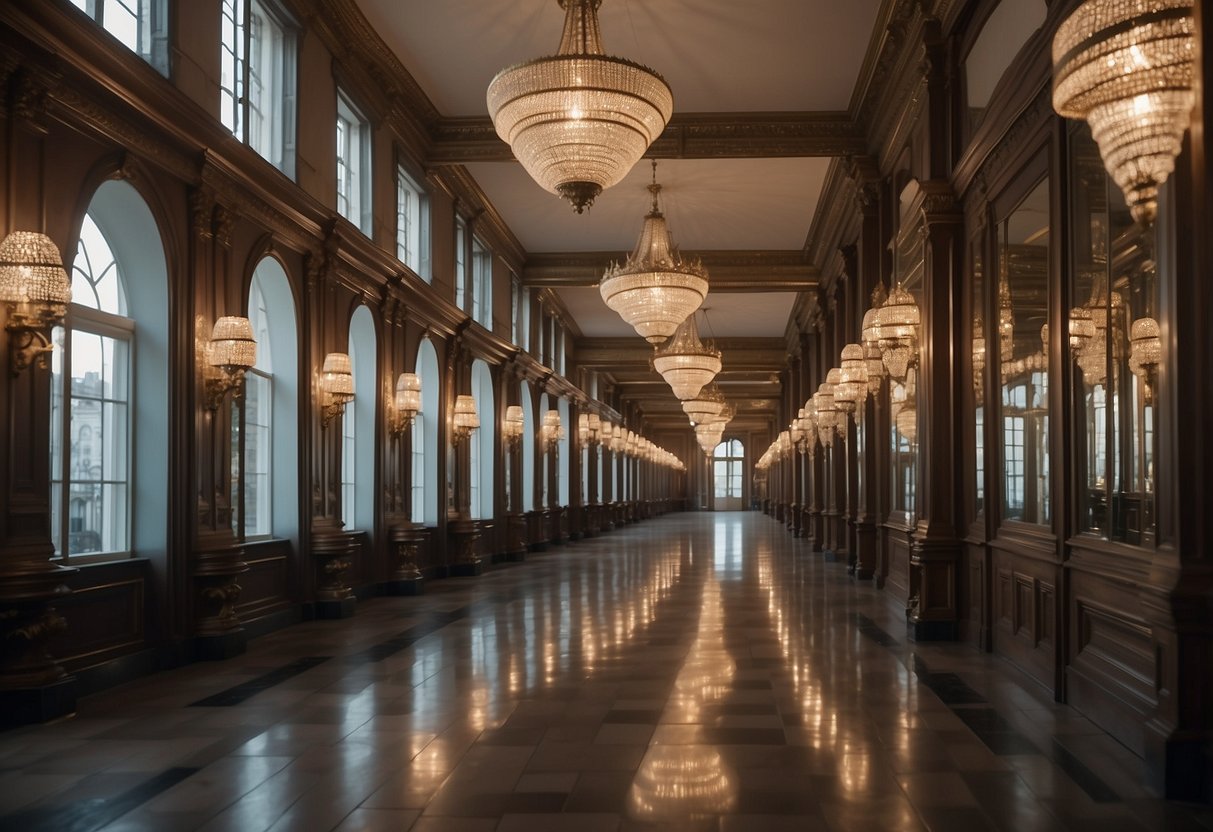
{"type": "Point", "coordinates": [1127, 69]}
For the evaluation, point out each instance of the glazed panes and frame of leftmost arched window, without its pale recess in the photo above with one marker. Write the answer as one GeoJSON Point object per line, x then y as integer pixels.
{"type": "Point", "coordinates": [92, 408]}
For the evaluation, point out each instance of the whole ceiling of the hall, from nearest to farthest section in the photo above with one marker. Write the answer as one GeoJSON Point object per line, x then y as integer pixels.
{"type": "Point", "coordinates": [720, 58]}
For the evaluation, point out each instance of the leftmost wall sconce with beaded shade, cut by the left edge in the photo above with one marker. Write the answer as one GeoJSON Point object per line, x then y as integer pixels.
{"type": "Point", "coordinates": [37, 290]}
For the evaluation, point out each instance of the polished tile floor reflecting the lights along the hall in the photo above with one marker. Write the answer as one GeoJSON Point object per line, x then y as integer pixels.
{"type": "Point", "coordinates": [693, 673]}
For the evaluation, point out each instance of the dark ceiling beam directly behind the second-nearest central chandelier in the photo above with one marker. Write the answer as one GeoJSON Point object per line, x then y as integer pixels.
{"type": "Point", "coordinates": [730, 271]}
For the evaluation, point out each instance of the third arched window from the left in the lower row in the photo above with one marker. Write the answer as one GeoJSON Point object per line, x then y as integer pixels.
{"type": "Point", "coordinates": [358, 428]}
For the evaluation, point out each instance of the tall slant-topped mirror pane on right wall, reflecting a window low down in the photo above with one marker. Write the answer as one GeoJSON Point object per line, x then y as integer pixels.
{"type": "Point", "coordinates": [1023, 338]}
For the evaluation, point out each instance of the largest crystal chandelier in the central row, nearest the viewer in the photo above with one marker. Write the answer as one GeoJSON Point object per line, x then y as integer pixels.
{"type": "Point", "coordinates": [580, 119]}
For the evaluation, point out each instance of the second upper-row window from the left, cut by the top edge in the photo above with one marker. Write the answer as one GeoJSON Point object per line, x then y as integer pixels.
{"type": "Point", "coordinates": [258, 79]}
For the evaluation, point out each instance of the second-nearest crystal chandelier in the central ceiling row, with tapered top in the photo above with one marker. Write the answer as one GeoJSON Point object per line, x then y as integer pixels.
{"type": "Point", "coordinates": [656, 290]}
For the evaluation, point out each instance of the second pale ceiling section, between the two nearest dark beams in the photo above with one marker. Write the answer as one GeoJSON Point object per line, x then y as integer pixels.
{"type": "Point", "coordinates": [709, 204]}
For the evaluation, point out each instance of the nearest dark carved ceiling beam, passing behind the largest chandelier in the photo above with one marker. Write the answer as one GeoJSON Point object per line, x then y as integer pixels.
{"type": "Point", "coordinates": [458, 141]}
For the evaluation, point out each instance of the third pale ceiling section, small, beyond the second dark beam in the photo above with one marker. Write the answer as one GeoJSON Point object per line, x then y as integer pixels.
{"type": "Point", "coordinates": [730, 315]}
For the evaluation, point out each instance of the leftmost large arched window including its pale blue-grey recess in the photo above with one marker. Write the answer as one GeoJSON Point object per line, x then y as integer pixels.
{"type": "Point", "coordinates": [102, 387]}
